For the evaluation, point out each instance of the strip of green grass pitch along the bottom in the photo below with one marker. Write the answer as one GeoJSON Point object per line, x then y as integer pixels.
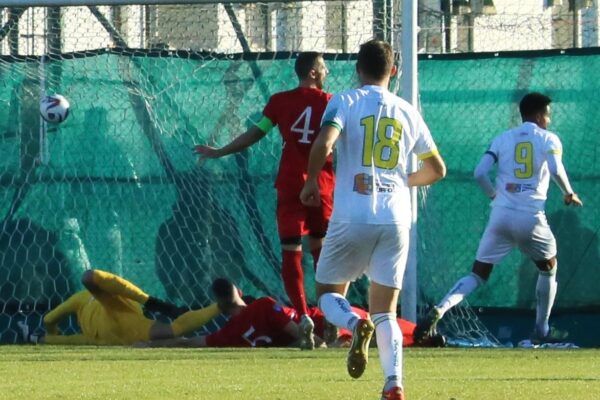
{"type": "Point", "coordinates": [56, 372]}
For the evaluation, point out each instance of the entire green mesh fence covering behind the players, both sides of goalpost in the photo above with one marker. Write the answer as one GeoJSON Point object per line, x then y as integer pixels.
{"type": "Point", "coordinates": [116, 186]}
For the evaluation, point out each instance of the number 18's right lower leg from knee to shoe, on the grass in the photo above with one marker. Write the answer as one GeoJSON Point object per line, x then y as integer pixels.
{"type": "Point", "coordinates": [383, 301]}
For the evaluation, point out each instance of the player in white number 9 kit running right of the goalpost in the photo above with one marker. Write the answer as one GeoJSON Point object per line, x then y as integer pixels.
{"type": "Point", "coordinates": [527, 157]}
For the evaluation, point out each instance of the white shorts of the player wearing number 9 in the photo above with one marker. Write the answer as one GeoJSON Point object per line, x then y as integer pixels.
{"type": "Point", "coordinates": [507, 229]}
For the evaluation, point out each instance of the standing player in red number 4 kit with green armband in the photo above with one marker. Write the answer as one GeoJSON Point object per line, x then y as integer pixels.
{"type": "Point", "coordinates": [297, 113]}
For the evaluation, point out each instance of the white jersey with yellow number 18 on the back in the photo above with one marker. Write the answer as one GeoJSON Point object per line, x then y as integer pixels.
{"type": "Point", "coordinates": [379, 132]}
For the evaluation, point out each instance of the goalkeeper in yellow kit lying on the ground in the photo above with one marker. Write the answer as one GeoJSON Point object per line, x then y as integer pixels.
{"type": "Point", "coordinates": [109, 312]}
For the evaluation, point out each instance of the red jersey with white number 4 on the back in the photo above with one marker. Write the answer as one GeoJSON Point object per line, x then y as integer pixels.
{"type": "Point", "coordinates": [298, 114]}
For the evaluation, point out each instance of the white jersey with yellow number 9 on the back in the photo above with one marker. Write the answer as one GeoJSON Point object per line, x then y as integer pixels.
{"type": "Point", "coordinates": [523, 177]}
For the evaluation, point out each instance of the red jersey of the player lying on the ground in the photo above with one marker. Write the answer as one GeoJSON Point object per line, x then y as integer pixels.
{"type": "Point", "coordinates": [260, 324]}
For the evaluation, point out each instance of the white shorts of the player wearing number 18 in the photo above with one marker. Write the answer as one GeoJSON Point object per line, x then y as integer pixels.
{"type": "Point", "coordinates": [351, 250]}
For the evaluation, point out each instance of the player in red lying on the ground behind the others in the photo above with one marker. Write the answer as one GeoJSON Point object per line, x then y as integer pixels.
{"type": "Point", "coordinates": [265, 323]}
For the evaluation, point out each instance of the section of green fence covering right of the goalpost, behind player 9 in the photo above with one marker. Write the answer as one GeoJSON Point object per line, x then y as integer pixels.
{"type": "Point", "coordinates": [467, 101]}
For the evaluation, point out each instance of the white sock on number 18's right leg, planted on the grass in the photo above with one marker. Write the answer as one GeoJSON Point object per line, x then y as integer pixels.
{"type": "Point", "coordinates": [389, 342]}
